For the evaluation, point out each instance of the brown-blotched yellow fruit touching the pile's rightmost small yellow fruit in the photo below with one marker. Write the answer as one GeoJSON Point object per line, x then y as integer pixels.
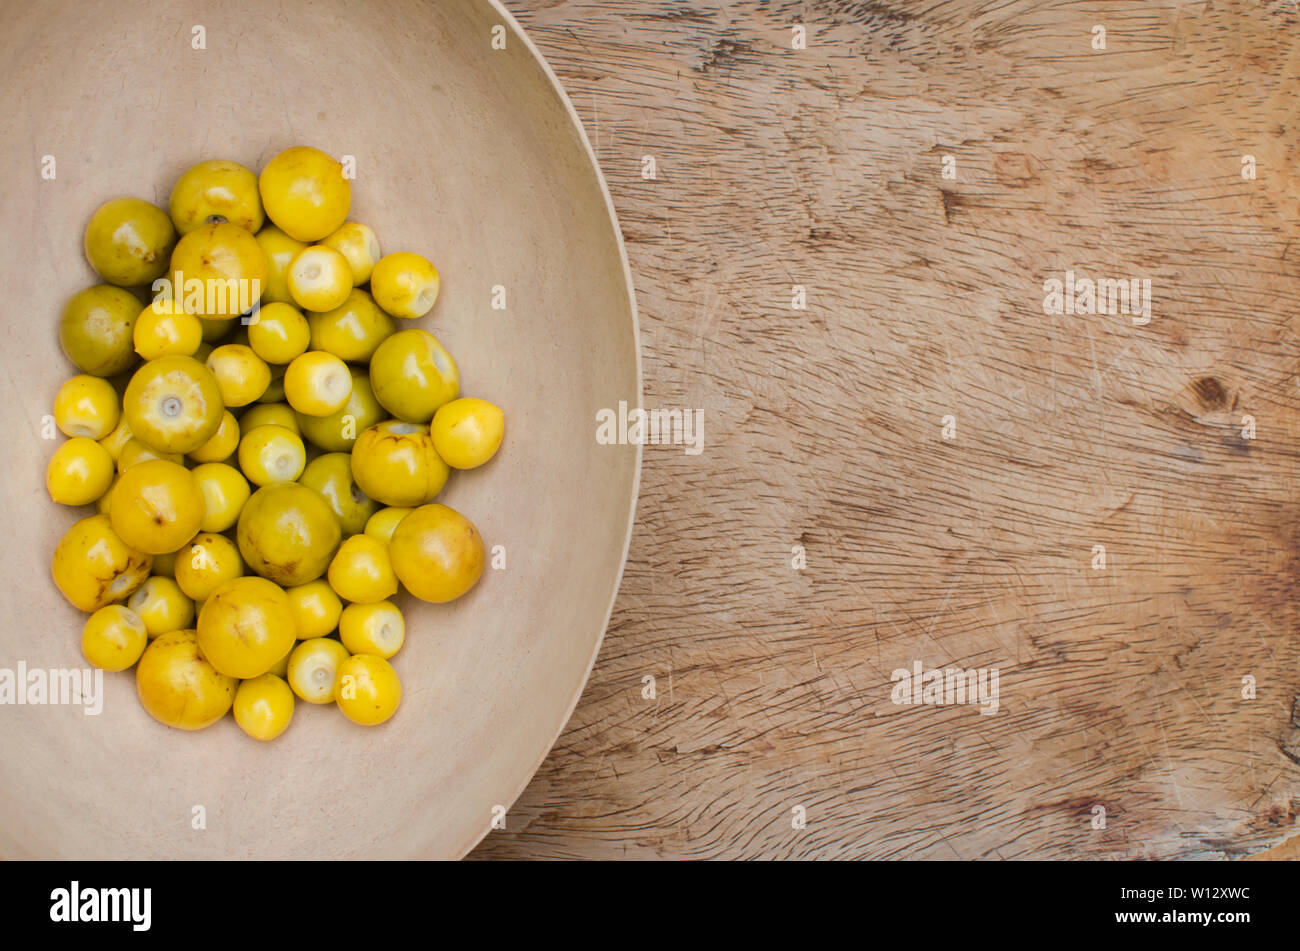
{"type": "Point", "coordinates": [396, 464]}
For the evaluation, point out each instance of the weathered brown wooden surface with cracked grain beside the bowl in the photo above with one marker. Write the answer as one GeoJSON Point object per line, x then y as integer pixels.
{"type": "Point", "coordinates": [1121, 687]}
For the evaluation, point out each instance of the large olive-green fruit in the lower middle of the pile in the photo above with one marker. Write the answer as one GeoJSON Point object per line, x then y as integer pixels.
{"type": "Point", "coordinates": [288, 533]}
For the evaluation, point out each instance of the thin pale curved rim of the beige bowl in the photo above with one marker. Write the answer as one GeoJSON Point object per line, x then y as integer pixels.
{"type": "Point", "coordinates": [630, 286]}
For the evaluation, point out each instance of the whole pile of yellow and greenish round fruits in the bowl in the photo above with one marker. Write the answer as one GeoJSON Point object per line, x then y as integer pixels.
{"type": "Point", "coordinates": [263, 445]}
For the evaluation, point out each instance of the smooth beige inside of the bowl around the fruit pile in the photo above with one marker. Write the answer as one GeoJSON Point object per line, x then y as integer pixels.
{"type": "Point", "coordinates": [466, 154]}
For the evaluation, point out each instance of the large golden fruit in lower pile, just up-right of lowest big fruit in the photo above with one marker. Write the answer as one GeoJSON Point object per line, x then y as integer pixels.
{"type": "Point", "coordinates": [246, 627]}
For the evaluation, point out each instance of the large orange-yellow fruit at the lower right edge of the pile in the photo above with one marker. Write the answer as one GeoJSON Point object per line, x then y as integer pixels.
{"type": "Point", "coordinates": [437, 554]}
